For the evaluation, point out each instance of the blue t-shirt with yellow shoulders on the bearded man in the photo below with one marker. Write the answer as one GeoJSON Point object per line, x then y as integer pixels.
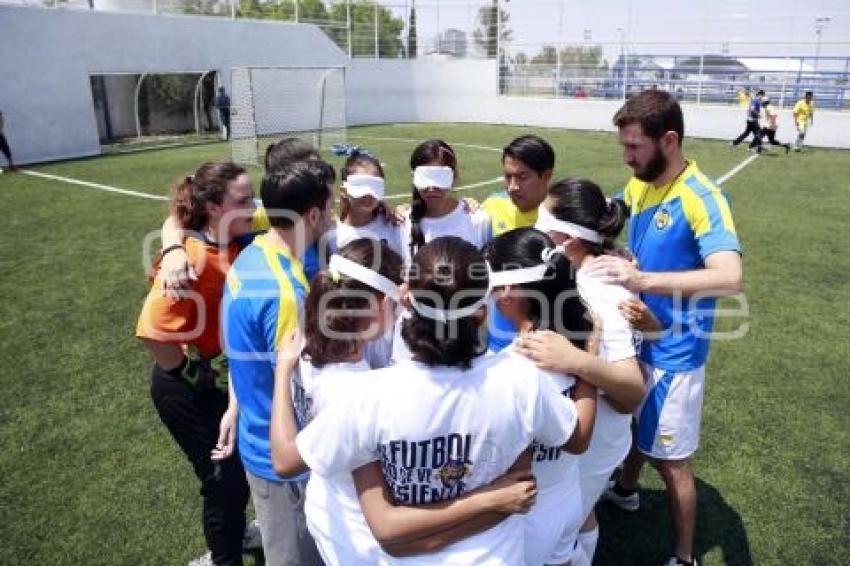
{"type": "Point", "coordinates": [674, 228]}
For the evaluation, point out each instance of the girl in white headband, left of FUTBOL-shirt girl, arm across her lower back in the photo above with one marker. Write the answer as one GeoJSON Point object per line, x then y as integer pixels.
{"type": "Point", "coordinates": [349, 305]}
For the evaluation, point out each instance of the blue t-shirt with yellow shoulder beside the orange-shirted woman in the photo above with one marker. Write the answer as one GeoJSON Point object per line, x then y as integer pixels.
{"type": "Point", "coordinates": [263, 302]}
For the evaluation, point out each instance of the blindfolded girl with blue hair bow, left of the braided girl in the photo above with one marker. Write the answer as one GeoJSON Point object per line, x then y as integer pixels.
{"type": "Point", "coordinates": [362, 210]}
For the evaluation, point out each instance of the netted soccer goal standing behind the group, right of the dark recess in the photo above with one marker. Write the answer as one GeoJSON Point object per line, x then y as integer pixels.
{"type": "Point", "coordinates": [271, 103]}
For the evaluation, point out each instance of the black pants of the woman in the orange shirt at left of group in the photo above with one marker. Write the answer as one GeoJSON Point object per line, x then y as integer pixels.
{"type": "Point", "coordinates": [192, 417]}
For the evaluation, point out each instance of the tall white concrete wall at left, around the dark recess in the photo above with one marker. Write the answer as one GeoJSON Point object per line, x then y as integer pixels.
{"type": "Point", "coordinates": [48, 55]}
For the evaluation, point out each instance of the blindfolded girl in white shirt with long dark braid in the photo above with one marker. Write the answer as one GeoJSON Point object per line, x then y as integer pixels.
{"type": "Point", "coordinates": [434, 211]}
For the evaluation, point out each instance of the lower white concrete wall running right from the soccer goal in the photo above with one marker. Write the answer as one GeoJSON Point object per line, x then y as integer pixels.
{"type": "Point", "coordinates": [466, 91]}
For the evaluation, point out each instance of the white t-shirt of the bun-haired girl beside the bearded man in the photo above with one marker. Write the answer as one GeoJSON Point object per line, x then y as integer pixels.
{"type": "Point", "coordinates": [612, 433]}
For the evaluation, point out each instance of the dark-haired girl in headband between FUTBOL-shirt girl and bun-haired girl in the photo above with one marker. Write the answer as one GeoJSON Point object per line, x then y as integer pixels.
{"type": "Point", "coordinates": [534, 288]}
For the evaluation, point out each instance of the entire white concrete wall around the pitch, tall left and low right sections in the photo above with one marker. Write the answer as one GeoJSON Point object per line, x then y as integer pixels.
{"type": "Point", "coordinates": [48, 56]}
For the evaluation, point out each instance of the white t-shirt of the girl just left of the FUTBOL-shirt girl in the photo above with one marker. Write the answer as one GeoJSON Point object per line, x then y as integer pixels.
{"type": "Point", "coordinates": [332, 508]}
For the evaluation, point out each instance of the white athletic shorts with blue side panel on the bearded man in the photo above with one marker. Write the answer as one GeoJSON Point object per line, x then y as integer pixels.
{"type": "Point", "coordinates": [670, 413]}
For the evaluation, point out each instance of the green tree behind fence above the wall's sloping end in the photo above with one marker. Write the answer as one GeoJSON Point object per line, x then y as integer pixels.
{"type": "Point", "coordinates": [363, 29]}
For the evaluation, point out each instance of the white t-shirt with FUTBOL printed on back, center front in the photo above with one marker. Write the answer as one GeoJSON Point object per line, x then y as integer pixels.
{"type": "Point", "coordinates": [440, 432]}
